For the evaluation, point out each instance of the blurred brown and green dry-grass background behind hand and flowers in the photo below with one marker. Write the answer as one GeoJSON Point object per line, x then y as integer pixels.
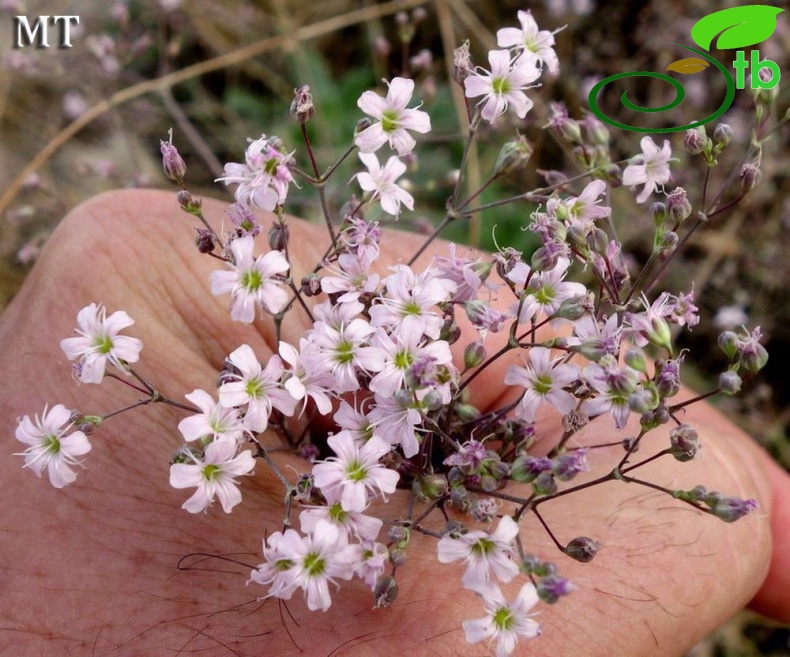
{"type": "Point", "coordinates": [78, 121]}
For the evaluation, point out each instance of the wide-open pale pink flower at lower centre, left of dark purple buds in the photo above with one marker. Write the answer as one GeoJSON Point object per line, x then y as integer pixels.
{"type": "Point", "coordinates": [354, 470]}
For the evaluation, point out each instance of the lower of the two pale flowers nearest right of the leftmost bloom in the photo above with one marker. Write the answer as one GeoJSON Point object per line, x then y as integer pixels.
{"type": "Point", "coordinates": [213, 474]}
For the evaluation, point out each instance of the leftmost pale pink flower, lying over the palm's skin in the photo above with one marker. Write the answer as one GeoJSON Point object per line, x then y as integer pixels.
{"type": "Point", "coordinates": [50, 447]}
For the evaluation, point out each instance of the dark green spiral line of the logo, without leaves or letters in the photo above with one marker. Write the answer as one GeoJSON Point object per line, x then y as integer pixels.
{"type": "Point", "coordinates": [680, 94]}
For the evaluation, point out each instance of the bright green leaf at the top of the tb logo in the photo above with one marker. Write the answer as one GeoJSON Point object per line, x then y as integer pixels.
{"type": "Point", "coordinates": [738, 27]}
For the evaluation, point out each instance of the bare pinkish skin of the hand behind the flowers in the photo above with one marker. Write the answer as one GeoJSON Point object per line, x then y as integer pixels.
{"type": "Point", "coordinates": [93, 569]}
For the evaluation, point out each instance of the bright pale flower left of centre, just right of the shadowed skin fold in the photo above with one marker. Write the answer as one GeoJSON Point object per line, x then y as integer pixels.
{"type": "Point", "coordinates": [260, 389]}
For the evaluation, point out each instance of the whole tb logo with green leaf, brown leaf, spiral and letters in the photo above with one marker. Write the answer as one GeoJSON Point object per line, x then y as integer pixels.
{"type": "Point", "coordinates": [738, 27]}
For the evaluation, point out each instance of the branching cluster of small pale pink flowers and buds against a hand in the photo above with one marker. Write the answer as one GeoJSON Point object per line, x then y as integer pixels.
{"type": "Point", "coordinates": [386, 363]}
